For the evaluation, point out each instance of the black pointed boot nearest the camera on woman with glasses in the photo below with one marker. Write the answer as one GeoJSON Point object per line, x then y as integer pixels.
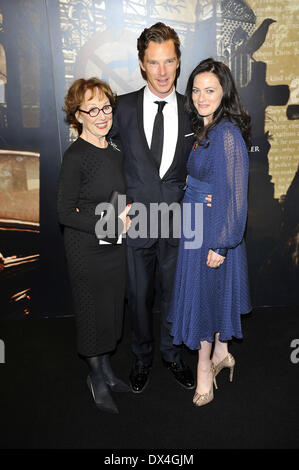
{"type": "Point", "coordinates": [96, 383]}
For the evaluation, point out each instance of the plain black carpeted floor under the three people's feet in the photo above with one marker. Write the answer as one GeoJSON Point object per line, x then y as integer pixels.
{"type": "Point", "coordinates": [45, 403]}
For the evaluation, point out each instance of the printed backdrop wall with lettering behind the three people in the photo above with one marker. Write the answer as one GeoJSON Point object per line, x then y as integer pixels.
{"type": "Point", "coordinates": [46, 44]}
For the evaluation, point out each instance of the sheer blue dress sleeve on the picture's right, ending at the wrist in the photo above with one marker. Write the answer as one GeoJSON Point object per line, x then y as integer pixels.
{"type": "Point", "coordinates": [229, 199]}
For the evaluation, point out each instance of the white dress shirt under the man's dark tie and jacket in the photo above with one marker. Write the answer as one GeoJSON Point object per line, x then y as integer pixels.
{"type": "Point", "coordinates": [170, 113]}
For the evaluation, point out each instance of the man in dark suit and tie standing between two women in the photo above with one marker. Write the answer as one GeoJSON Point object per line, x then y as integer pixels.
{"type": "Point", "coordinates": [156, 137]}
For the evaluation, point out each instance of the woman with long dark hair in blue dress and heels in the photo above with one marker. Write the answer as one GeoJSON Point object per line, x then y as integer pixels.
{"type": "Point", "coordinates": [211, 288]}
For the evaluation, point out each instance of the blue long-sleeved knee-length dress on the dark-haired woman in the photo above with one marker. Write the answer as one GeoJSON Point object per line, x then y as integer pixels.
{"type": "Point", "coordinates": [207, 300]}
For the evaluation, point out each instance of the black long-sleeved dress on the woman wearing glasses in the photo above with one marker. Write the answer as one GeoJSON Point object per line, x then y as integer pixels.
{"type": "Point", "coordinates": [97, 272]}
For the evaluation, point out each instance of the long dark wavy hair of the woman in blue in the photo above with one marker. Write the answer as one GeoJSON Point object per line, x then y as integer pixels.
{"type": "Point", "coordinates": [230, 106]}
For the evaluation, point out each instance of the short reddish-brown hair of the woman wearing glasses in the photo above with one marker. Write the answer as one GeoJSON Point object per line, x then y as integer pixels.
{"type": "Point", "coordinates": [75, 96]}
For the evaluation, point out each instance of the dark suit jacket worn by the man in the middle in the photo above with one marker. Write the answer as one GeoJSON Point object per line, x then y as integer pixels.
{"type": "Point", "coordinates": [142, 176]}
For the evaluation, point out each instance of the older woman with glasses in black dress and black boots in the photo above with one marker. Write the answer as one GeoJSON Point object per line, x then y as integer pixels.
{"type": "Point", "coordinates": [92, 168]}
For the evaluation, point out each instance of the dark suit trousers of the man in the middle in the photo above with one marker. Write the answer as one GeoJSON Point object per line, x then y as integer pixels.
{"type": "Point", "coordinates": [142, 263]}
